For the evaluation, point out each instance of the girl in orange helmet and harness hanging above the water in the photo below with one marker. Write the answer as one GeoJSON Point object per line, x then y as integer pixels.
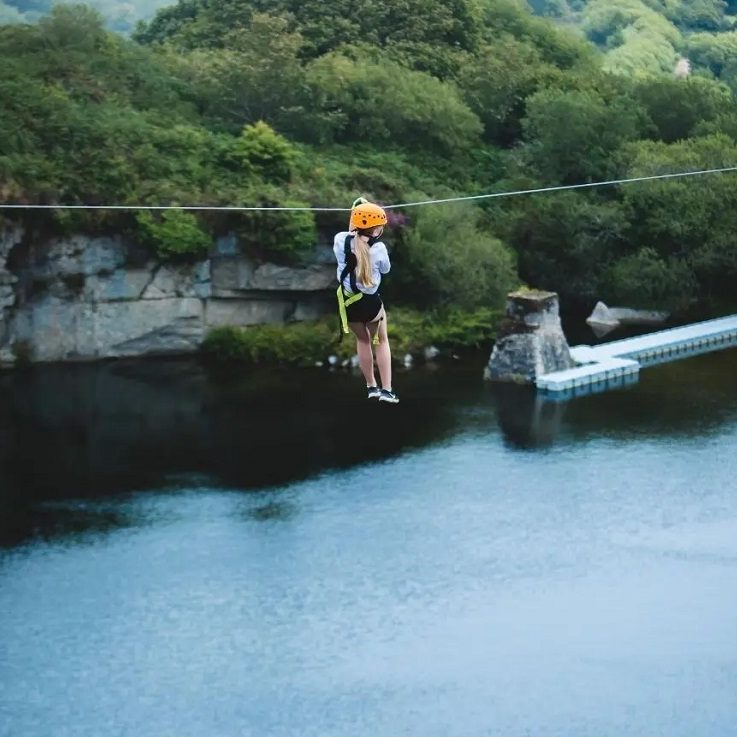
{"type": "Point", "coordinates": [362, 260]}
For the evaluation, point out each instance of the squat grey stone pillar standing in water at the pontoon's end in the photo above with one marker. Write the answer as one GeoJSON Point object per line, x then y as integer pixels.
{"type": "Point", "coordinates": [530, 342]}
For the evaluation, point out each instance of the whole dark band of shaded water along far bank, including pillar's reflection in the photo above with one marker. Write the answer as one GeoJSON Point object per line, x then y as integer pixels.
{"type": "Point", "coordinates": [92, 431]}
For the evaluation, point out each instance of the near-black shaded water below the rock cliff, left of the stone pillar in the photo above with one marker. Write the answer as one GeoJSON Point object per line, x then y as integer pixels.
{"type": "Point", "coordinates": [90, 431]}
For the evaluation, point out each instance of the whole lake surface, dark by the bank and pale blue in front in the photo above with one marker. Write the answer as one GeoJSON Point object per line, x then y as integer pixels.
{"type": "Point", "coordinates": [191, 552]}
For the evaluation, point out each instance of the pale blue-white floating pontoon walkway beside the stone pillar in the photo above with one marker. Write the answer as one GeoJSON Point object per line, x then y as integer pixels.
{"type": "Point", "coordinates": [614, 364]}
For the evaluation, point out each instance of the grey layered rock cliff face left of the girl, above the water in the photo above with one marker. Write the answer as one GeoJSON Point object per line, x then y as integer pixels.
{"type": "Point", "coordinates": [86, 298]}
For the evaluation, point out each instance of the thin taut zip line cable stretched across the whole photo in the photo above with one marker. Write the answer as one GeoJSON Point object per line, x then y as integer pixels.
{"type": "Point", "coordinates": [237, 208]}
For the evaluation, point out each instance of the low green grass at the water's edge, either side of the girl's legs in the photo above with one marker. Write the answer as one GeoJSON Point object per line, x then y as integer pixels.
{"type": "Point", "coordinates": [306, 343]}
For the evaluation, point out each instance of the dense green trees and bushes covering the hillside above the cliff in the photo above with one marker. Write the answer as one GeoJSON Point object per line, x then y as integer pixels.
{"type": "Point", "coordinates": [279, 102]}
